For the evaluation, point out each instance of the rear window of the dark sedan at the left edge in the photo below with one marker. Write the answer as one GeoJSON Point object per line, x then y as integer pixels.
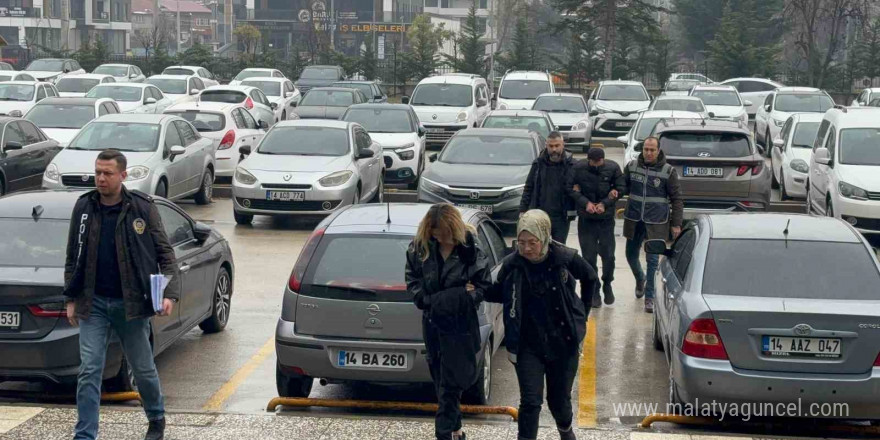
{"type": "Point", "coordinates": [28, 243]}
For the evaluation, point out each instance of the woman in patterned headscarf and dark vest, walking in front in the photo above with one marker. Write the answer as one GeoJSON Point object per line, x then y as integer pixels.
{"type": "Point", "coordinates": [545, 321]}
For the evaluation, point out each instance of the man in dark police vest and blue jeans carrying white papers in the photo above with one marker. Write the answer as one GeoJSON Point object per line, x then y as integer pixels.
{"type": "Point", "coordinates": [116, 242]}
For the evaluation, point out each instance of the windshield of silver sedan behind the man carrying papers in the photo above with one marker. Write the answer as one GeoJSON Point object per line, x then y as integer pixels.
{"type": "Point", "coordinates": [123, 136]}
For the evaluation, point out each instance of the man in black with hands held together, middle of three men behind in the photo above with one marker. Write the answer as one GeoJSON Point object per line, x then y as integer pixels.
{"type": "Point", "coordinates": [594, 186]}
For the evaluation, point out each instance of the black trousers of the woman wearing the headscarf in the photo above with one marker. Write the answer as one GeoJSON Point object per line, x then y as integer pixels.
{"type": "Point", "coordinates": [531, 370]}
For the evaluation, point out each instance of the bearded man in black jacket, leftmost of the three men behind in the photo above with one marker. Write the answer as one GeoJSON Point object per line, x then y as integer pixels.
{"type": "Point", "coordinates": [545, 186]}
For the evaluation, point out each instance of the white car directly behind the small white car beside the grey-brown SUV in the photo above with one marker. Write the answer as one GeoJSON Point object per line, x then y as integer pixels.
{"type": "Point", "coordinates": [782, 103]}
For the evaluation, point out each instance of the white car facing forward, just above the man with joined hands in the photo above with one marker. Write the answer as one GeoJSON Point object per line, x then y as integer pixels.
{"type": "Point", "coordinates": [614, 107]}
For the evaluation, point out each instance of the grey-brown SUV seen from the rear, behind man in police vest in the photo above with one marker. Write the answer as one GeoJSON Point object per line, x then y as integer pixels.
{"type": "Point", "coordinates": [719, 167]}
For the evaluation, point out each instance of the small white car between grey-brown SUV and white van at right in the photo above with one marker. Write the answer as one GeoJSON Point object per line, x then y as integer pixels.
{"type": "Point", "coordinates": [792, 152]}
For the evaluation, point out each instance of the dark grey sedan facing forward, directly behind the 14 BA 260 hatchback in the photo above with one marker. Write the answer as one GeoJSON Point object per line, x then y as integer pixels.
{"type": "Point", "coordinates": [483, 169]}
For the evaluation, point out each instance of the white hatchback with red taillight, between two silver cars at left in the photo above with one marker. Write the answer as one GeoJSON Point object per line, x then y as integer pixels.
{"type": "Point", "coordinates": [229, 126]}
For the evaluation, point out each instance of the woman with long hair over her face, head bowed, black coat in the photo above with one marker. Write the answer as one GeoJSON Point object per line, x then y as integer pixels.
{"type": "Point", "coordinates": [447, 275]}
